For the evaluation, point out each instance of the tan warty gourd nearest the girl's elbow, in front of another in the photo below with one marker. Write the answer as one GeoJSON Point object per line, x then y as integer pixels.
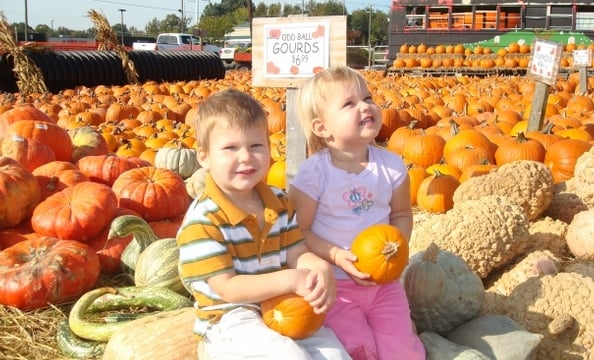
{"type": "Point", "coordinates": [487, 233]}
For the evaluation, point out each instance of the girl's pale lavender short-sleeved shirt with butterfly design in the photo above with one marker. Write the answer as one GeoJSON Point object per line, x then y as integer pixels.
{"type": "Point", "coordinates": [347, 202]}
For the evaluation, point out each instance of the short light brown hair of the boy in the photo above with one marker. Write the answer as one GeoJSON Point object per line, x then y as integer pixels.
{"type": "Point", "coordinates": [231, 107]}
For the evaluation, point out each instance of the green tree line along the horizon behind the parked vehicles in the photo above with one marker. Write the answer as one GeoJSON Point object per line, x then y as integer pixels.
{"type": "Point", "coordinates": [219, 19]}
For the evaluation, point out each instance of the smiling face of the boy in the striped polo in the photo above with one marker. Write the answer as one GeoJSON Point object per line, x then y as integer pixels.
{"type": "Point", "coordinates": [236, 159]}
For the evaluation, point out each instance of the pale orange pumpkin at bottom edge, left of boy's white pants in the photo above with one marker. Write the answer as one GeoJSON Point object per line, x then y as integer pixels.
{"type": "Point", "coordinates": [166, 335]}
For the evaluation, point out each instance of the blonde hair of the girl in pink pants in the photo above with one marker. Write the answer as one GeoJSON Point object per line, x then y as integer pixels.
{"type": "Point", "coordinates": [316, 91]}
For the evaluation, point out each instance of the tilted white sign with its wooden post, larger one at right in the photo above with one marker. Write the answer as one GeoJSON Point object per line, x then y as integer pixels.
{"type": "Point", "coordinates": [543, 68]}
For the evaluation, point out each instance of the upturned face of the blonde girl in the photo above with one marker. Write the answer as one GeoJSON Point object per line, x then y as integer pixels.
{"type": "Point", "coordinates": [349, 118]}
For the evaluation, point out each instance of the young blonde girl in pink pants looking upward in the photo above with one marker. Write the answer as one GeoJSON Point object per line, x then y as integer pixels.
{"type": "Point", "coordinates": [346, 185]}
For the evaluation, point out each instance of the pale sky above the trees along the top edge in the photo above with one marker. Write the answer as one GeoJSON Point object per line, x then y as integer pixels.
{"type": "Point", "coordinates": [72, 14]}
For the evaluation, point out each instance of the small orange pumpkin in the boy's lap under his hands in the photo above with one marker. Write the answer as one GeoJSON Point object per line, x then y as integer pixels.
{"type": "Point", "coordinates": [292, 316]}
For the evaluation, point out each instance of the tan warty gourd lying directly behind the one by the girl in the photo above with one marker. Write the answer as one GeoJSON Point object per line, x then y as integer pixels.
{"type": "Point", "coordinates": [529, 183]}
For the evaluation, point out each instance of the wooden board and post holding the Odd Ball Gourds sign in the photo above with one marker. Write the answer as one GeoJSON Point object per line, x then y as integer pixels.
{"type": "Point", "coordinates": [285, 52]}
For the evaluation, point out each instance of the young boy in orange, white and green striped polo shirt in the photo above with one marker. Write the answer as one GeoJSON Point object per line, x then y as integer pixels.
{"type": "Point", "coordinates": [239, 243]}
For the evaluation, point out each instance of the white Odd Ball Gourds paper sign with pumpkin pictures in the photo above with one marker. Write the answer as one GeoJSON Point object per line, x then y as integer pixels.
{"type": "Point", "coordinates": [296, 50]}
